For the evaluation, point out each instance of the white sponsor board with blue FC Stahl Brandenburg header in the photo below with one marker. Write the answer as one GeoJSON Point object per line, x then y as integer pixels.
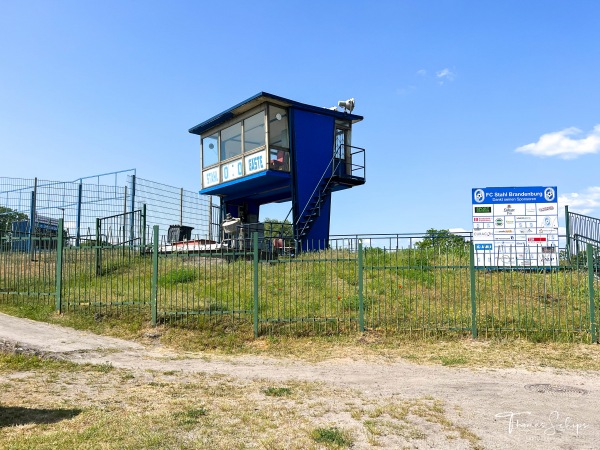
{"type": "Point", "coordinates": [515, 226]}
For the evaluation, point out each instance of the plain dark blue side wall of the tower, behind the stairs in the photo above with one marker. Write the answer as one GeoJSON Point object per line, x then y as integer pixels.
{"type": "Point", "coordinates": [312, 138]}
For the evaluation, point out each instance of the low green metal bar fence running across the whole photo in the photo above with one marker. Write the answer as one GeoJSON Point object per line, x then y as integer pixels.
{"type": "Point", "coordinates": [391, 284]}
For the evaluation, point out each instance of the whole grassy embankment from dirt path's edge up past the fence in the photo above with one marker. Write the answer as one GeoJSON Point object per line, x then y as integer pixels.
{"type": "Point", "coordinates": [417, 306]}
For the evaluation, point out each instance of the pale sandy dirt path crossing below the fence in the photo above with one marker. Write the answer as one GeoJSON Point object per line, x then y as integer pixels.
{"type": "Point", "coordinates": [498, 405]}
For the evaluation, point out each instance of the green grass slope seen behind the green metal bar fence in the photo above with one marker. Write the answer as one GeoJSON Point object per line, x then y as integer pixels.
{"type": "Point", "coordinates": [314, 294]}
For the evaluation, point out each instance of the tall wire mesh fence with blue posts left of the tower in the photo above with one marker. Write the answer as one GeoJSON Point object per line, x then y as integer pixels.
{"type": "Point", "coordinates": [32, 207]}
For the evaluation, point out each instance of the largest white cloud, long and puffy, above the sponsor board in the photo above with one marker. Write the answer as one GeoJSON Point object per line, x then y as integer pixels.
{"type": "Point", "coordinates": [563, 144]}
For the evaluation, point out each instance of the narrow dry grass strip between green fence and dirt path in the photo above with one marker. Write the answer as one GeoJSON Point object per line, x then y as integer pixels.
{"type": "Point", "coordinates": [233, 338]}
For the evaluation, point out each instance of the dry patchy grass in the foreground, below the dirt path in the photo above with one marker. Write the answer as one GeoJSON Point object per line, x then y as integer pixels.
{"type": "Point", "coordinates": [59, 405]}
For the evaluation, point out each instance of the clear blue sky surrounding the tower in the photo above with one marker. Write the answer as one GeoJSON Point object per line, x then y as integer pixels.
{"type": "Point", "coordinates": [455, 94]}
